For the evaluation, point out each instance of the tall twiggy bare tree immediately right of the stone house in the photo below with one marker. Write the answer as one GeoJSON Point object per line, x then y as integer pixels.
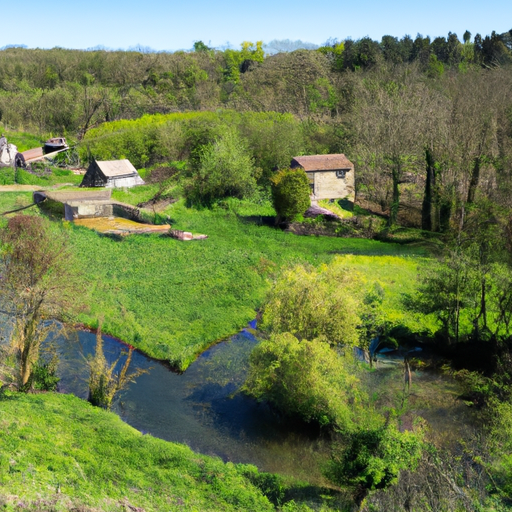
{"type": "Point", "coordinates": [390, 118]}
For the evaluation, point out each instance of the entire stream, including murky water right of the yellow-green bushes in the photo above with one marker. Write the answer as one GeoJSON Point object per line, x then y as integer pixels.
{"type": "Point", "coordinates": [203, 409]}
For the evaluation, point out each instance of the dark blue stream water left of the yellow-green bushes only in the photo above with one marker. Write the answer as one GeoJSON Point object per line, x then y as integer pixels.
{"type": "Point", "coordinates": [202, 407]}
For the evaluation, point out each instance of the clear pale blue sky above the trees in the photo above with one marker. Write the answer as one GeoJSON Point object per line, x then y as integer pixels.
{"type": "Point", "coordinates": [171, 25]}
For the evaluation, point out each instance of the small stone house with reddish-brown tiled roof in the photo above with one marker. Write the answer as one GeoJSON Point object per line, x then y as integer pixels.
{"type": "Point", "coordinates": [330, 176]}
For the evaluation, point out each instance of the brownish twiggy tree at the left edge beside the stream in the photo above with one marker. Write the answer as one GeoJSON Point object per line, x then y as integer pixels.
{"type": "Point", "coordinates": [37, 284]}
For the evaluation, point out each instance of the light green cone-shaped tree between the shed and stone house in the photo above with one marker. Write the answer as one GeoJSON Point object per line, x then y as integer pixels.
{"type": "Point", "coordinates": [225, 169]}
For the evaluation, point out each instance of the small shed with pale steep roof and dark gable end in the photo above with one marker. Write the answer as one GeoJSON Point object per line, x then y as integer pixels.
{"type": "Point", "coordinates": [111, 174]}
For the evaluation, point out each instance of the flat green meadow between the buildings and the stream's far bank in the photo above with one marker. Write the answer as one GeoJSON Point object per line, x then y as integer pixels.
{"type": "Point", "coordinates": [173, 299]}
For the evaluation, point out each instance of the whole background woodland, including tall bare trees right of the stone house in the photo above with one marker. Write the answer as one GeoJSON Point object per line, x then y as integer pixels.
{"type": "Point", "coordinates": [431, 112]}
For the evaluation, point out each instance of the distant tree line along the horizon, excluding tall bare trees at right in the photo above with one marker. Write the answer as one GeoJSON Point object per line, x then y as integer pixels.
{"type": "Point", "coordinates": [70, 91]}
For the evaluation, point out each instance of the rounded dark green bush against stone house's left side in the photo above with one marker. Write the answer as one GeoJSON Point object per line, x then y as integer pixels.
{"type": "Point", "coordinates": [290, 193]}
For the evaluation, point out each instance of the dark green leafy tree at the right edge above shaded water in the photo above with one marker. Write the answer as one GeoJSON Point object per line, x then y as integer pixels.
{"type": "Point", "coordinates": [469, 290]}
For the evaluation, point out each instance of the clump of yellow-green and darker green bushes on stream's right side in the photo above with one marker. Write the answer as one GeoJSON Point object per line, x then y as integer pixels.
{"type": "Point", "coordinates": [314, 382]}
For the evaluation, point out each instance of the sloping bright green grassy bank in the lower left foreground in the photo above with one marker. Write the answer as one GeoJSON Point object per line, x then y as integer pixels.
{"type": "Point", "coordinates": [61, 453]}
